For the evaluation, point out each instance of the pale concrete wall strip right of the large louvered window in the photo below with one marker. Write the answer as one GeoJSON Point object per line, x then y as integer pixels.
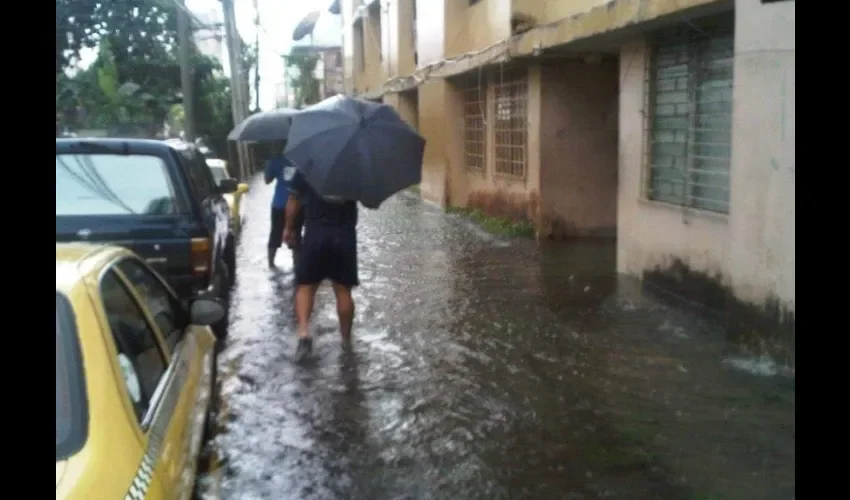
{"type": "Point", "coordinates": [762, 228]}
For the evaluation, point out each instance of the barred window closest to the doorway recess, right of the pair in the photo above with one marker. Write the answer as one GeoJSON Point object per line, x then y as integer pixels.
{"type": "Point", "coordinates": [511, 121]}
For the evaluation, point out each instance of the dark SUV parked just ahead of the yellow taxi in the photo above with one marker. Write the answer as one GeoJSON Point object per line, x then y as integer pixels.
{"type": "Point", "coordinates": [156, 198]}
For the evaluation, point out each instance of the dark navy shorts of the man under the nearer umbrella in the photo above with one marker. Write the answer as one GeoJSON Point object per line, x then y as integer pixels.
{"type": "Point", "coordinates": [327, 252]}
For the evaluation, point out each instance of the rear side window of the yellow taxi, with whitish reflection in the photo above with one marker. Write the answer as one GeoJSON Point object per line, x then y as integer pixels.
{"type": "Point", "coordinates": [140, 358]}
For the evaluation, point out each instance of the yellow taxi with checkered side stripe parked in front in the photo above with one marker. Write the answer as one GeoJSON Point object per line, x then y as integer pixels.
{"type": "Point", "coordinates": [135, 378]}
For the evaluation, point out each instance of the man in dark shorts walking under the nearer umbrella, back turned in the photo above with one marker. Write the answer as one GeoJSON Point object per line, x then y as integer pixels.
{"type": "Point", "coordinates": [328, 251]}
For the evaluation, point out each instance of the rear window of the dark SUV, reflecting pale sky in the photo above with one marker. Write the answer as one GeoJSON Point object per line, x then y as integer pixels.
{"type": "Point", "coordinates": [113, 184]}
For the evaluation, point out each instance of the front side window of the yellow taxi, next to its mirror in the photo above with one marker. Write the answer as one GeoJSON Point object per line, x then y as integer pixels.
{"type": "Point", "coordinates": [168, 314]}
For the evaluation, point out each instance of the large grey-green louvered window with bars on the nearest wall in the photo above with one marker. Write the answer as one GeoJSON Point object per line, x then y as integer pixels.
{"type": "Point", "coordinates": [690, 121]}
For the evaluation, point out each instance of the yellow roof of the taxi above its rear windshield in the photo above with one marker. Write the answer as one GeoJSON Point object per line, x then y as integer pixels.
{"type": "Point", "coordinates": [75, 261]}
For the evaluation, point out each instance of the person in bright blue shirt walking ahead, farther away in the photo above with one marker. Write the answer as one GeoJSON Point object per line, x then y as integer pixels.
{"type": "Point", "coordinates": [280, 169]}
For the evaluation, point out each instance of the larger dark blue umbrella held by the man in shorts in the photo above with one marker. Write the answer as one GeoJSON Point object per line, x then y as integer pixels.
{"type": "Point", "coordinates": [355, 149]}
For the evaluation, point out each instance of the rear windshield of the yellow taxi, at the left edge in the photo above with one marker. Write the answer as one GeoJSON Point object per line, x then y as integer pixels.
{"type": "Point", "coordinates": [71, 408]}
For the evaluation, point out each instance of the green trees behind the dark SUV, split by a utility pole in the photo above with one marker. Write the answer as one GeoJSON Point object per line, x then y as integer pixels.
{"type": "Point", "coordinates": [135, 80]}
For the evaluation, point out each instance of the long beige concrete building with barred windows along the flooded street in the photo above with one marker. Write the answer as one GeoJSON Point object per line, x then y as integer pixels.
{"type": "Point", "coordinates": [666, 123]}
